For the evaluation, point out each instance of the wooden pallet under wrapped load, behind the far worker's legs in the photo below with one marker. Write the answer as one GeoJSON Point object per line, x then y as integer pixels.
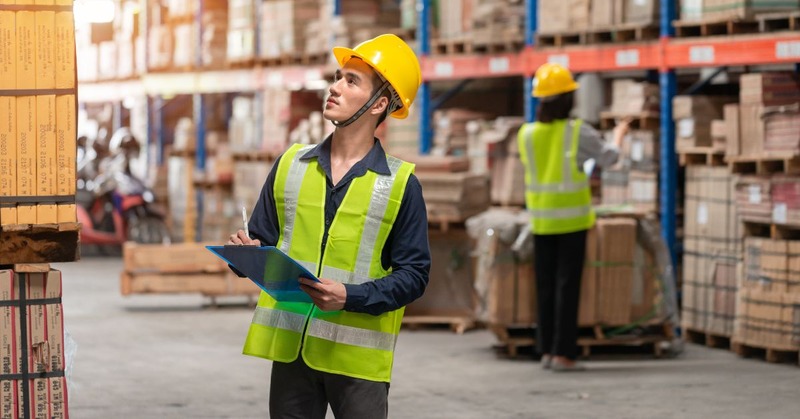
{"type": "Point", "coordinates": [515, 339]}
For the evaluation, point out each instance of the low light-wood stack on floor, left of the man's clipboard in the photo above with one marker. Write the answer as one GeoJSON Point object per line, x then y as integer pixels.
{"type": "Point", "coordinates": [179, 268]}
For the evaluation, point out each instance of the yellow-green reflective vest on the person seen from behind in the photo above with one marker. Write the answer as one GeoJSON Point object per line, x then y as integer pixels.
{"type": "Point", "coordinates": [557, 194]}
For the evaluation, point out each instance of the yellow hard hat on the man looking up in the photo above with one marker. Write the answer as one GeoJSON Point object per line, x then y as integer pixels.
{"type": "Point", "coordinates": [395, 61]}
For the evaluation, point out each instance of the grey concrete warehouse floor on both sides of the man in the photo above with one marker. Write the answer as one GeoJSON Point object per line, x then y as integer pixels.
{"type": "Point", "coordinates": [174, 357]}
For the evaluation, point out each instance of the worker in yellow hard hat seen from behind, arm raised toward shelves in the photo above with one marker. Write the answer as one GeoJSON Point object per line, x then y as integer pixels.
{"type": "Point", "coordinates": [553, 150]}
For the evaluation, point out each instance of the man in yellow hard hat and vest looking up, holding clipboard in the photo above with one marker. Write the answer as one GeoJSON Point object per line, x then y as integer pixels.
{"type": "Point", "coordinates": [356, 218]}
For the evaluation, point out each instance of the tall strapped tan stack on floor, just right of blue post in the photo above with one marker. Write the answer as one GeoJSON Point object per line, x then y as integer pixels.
{"type": "Point", "coordinates": [712, 249]}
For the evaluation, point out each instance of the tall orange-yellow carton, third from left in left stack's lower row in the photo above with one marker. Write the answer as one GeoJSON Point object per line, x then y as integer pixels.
{"type": "Point", "coordinates": [46, 168]}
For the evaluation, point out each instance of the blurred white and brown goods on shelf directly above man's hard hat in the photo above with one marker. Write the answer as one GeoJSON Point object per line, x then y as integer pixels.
{"type": "Point", "coordinates": [358, 21]}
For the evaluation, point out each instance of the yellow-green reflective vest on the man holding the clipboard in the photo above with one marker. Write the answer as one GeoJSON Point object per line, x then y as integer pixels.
{"type": "Point", "coordinates": [353, 344]}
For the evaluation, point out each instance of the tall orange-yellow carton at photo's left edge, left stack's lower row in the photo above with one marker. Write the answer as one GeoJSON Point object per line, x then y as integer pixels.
{"type": "Point", "coordinates": [8, 158]}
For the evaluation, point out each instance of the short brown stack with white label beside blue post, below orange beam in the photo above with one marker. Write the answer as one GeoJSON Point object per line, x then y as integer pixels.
{"type": "Point", "coordinates": [693, 116]}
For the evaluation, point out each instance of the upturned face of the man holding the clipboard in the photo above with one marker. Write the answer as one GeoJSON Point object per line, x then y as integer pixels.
{"type": "Point", "coordinates": [351, 89]}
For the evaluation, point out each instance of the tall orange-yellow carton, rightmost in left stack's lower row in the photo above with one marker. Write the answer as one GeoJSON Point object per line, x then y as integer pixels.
{"type": "Point", "coordinates": [66, 154]}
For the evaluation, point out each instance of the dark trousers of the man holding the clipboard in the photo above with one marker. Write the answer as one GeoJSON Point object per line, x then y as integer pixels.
{"type": "Point", "coordinates": [299, 392]}
